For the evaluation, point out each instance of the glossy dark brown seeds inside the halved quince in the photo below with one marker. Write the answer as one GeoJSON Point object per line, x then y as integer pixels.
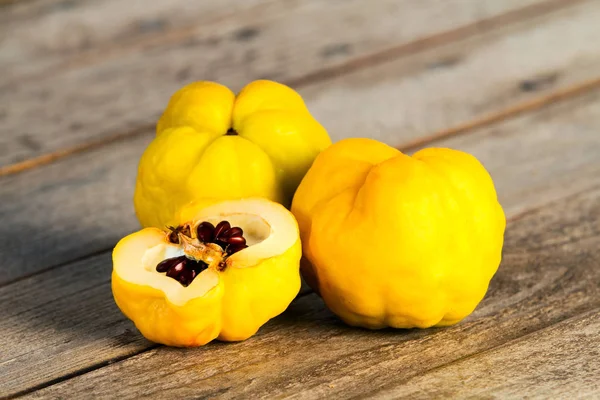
{"type": "Point", "coordinates": [184, 269]}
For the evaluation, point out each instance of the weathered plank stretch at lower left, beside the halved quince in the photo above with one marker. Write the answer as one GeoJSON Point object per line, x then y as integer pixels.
{"type": "Point", "coordinates": [48, 325]}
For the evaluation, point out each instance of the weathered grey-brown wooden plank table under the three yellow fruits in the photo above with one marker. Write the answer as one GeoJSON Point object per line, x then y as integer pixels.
{"type": "Point", "coordinates": [515, 82]}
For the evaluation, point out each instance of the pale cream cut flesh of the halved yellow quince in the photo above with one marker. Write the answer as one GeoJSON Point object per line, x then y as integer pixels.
{"type": "Point", "coordinates": [268, 229]}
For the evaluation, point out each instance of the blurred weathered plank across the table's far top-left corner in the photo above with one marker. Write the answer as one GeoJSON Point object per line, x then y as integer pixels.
{"type": "Point", "coordinates": [68, 29]}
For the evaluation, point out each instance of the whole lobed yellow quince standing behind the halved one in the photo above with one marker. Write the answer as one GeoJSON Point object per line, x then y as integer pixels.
{"type": "Point", "coordinates": [192, 159]}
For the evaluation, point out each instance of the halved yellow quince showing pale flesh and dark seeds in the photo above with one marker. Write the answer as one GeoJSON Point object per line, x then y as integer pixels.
{"type": "Point", "coordinates": [221, 274]}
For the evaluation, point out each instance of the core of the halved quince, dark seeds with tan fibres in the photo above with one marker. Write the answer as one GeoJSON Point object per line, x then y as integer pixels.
{"type": "Point", "coordinates": [209, 245]}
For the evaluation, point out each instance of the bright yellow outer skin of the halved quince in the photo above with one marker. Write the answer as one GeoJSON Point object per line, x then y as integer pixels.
{"type": "Point", "coordinates": [243, 300]}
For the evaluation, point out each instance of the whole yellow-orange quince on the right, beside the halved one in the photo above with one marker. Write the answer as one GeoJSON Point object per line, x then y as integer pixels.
{"type": "Point", "coordinates": [398, 241]}
